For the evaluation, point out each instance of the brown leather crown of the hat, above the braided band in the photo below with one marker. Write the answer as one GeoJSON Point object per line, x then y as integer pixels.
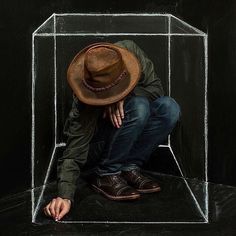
{"type": "Point", "coordinates": [103, 66]}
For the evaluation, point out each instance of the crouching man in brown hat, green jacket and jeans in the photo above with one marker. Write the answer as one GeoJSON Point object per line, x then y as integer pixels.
{"type": "Point", "coordinates": [119, 115]}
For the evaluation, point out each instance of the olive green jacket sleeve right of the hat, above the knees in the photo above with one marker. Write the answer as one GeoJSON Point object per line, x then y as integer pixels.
{"type": "Point", "coordinates": [149, 84]}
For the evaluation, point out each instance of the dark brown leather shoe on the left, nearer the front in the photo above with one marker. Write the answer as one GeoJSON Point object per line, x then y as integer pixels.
{"type": "Point", "coordinates": [114, 187]}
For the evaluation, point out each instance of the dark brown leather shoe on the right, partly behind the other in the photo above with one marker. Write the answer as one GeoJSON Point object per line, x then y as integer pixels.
{"type": "Point", "coordinates": [141, 183]}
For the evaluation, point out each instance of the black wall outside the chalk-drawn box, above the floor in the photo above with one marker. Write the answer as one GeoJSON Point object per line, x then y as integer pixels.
{"type": "Point", "coordinates": [18, 19]}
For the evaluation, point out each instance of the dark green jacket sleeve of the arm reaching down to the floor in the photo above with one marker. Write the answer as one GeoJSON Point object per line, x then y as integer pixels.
{"type": "Point", "coordinates": [79, 129]}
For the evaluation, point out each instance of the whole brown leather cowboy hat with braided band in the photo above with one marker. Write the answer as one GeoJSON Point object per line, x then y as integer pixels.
{"type": "Point", "coordinates": [103, 73]}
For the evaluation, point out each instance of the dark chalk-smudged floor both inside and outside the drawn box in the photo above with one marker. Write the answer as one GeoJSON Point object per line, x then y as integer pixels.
{"type": "Point", "coordinates": [173, 204]}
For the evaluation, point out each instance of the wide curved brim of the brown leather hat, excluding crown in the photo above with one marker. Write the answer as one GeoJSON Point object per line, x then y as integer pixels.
{"type": "Point", "coordinates": [75, 76]}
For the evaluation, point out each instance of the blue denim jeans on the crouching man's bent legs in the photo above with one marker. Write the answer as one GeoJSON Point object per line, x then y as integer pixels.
{"type": "Point", "coordinates": [145, 125]}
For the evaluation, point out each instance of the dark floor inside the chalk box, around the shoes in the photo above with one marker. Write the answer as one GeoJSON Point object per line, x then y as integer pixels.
{"type": "Point", "coordinates": [173, 204]}
